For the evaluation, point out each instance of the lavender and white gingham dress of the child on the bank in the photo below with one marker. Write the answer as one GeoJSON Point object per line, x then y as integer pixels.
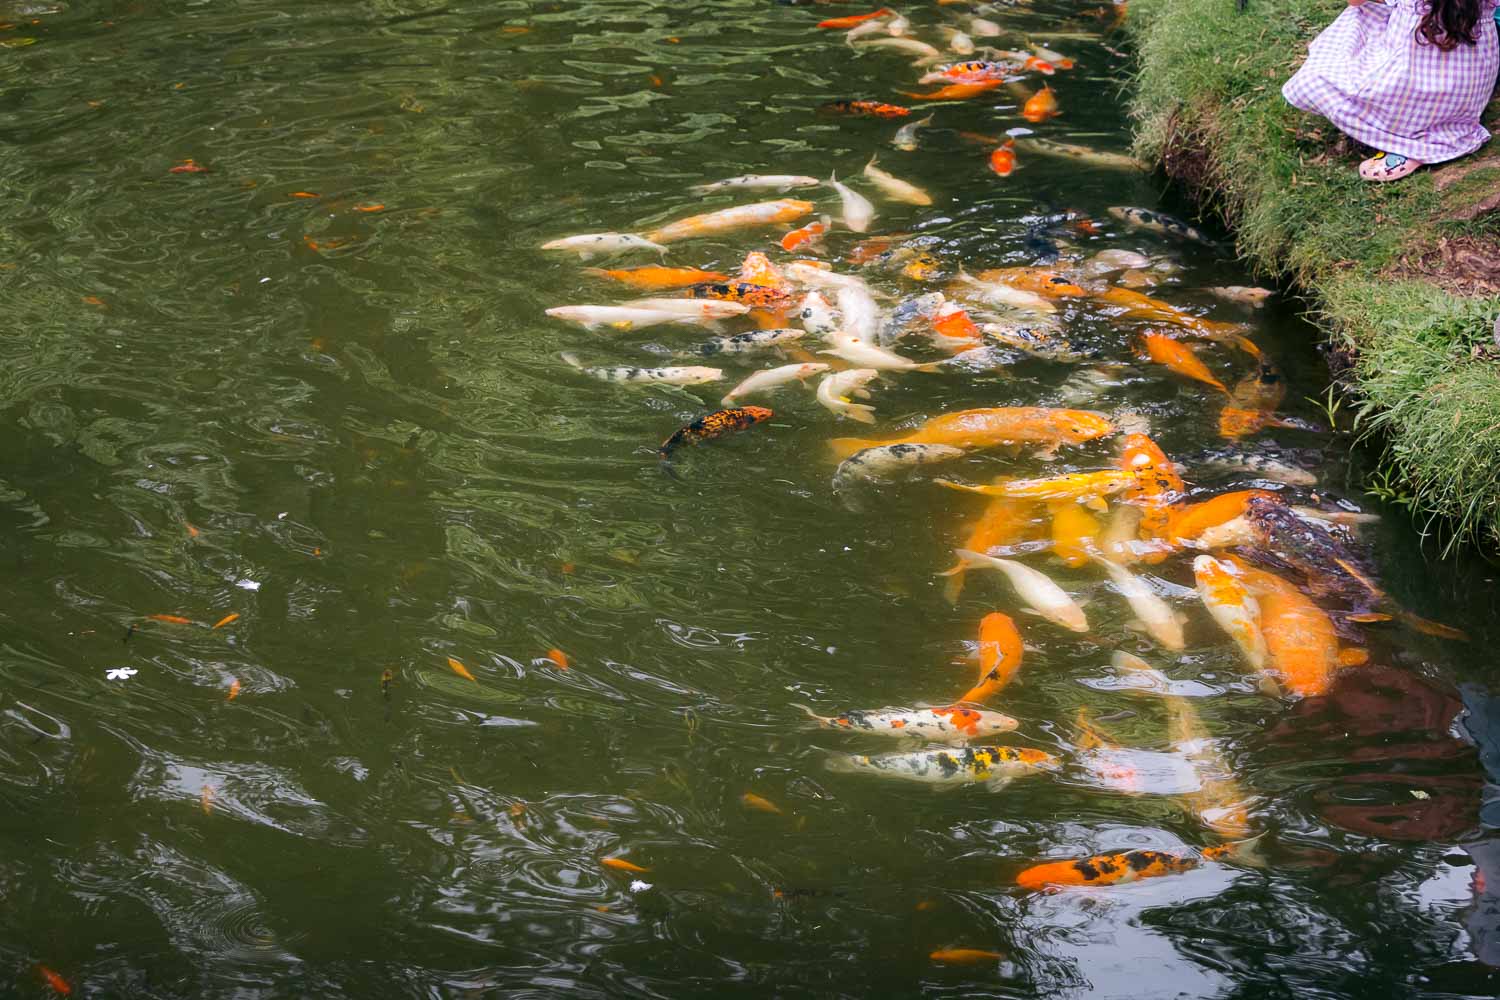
{"type": "Point", "coordinates": [1372, 77]}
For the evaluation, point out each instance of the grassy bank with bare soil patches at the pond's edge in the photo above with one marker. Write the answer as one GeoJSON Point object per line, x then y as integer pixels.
{"type": "Point", "coordinates": [1406, 277]}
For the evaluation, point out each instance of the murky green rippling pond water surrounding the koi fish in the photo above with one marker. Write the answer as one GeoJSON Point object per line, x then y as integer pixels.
{"type": "Point", "coordinates": [251, 392]}
